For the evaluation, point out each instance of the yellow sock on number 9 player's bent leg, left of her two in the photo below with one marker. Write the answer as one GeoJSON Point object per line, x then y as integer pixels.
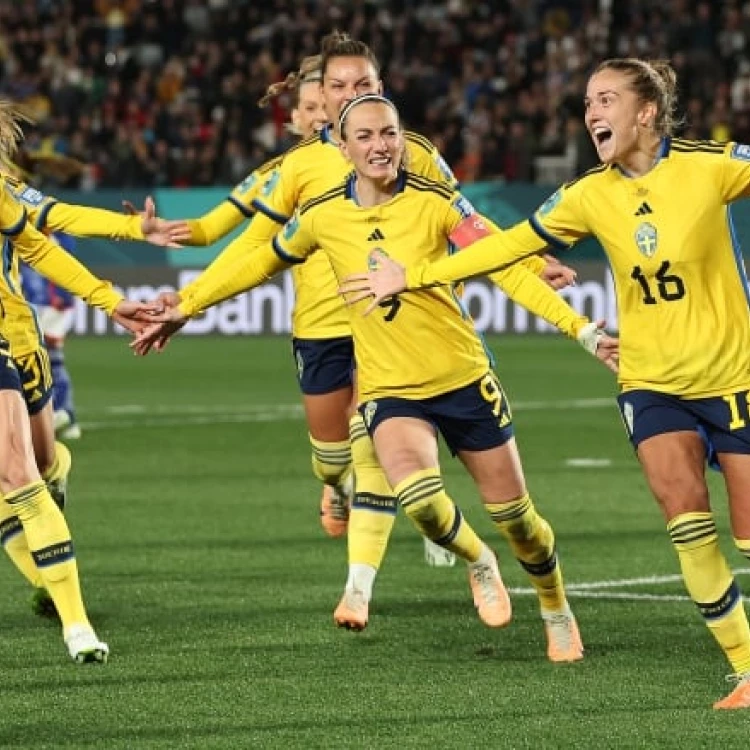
{"type": "Point", "coordinates": [425, 501]}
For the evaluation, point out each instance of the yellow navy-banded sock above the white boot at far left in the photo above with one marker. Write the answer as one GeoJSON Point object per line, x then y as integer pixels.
{"type": "Point", "coordinates": [52, 549]}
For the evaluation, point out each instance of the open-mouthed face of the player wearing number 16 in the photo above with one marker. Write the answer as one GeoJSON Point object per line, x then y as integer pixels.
{"type": "Point", "coordinates": [615, 118]}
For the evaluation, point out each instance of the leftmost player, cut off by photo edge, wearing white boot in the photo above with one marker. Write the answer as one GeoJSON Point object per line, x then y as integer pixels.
{"type": "Point", "coordinates": [28, 504]}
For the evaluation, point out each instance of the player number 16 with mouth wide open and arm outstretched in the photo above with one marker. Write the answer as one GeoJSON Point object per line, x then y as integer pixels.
{"type": "Point", "coordinates": [659, 206]}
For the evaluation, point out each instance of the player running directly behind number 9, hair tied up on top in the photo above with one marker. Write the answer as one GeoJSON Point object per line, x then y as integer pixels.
{"type": "Point", "coordinates": [322, 340]}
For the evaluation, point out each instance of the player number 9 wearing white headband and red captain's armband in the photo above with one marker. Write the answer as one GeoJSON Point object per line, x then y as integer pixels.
{"type": "Point", "coordinates": [421, 366]}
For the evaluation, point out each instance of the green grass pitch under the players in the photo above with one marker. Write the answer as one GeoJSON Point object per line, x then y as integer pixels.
{"type": "Point", "coordinates": [195, 519]}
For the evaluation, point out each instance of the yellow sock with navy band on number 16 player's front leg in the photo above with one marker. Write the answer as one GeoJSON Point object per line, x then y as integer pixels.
{"type": "Point", "coordinates": [711, 585]}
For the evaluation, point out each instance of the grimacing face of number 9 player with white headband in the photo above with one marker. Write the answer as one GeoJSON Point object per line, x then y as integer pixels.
{"type": "Point", "coordinates": [373, 141]}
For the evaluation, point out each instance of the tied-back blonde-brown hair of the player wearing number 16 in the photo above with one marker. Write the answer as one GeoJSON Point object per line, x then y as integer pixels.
{"type": "Point", "coordinates": [653, 81]}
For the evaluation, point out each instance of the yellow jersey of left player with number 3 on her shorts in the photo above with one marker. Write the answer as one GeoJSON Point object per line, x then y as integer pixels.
{"type": "Point", "coordinates": [20, 325]}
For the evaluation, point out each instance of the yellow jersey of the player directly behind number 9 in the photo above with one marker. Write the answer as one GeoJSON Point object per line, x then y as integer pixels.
{"type": "Point", "coordinates": [308, 170]}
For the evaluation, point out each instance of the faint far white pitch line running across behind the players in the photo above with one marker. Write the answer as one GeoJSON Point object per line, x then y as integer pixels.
{"type": "Point", "coordinates": [168, 415]}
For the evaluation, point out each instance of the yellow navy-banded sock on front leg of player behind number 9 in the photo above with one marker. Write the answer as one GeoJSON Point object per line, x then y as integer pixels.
{"type": "Point", "coordinates": [373, 511]}
